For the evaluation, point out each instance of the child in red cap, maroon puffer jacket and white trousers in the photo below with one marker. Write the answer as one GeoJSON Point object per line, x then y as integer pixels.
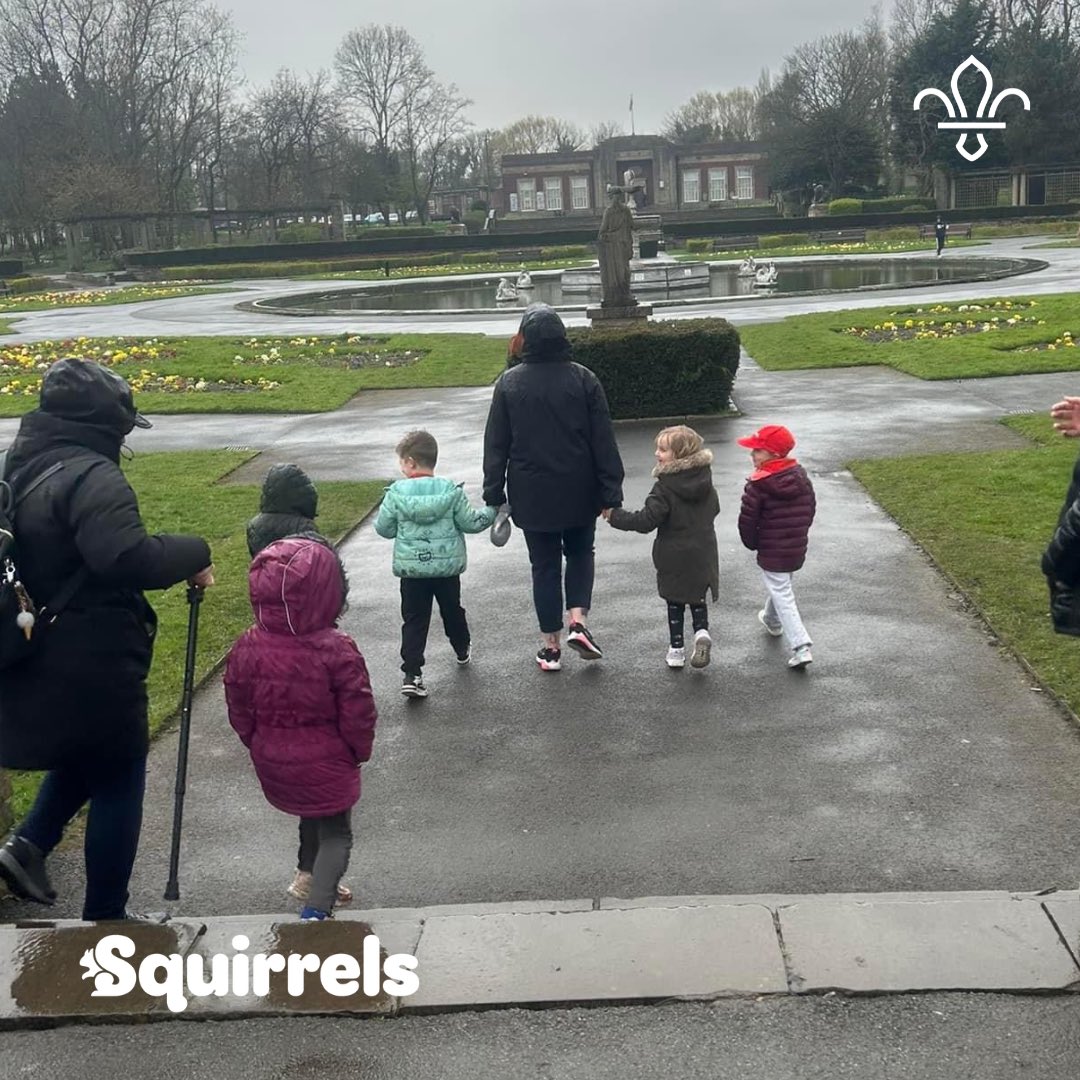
{"type": "Point", "coordinates": [778, 509]}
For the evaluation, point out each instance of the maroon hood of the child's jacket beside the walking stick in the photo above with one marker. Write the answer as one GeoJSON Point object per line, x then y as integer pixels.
{"type": "Point", "coordinates": [296, 588]}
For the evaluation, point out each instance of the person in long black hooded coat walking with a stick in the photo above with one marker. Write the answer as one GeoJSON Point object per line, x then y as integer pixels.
{"type": "Point", "coordinates": [78, 706]}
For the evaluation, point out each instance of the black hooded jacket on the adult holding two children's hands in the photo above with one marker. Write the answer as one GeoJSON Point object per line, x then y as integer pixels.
{"type": "Point", "coordinates": [549, 444]}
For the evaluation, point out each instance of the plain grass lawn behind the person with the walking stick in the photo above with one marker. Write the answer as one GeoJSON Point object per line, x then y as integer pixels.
{"type": "Point", "coordinates": [179, 493]}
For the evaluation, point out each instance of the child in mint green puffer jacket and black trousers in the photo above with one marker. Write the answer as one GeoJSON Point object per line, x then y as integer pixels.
{"type": "Point", "coordinates": [427, 517]}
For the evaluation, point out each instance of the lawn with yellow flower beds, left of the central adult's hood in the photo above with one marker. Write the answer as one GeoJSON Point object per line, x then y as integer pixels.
{"type": "Point", "coordinates": [271, 374]}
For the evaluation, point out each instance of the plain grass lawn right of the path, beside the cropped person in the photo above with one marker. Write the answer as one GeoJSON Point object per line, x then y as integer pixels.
{"type": "Point", "coordinates": [985, 520]}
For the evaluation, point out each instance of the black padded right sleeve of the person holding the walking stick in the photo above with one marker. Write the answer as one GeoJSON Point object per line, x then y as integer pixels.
{"type": "Point", "coordinates": [110, 534]}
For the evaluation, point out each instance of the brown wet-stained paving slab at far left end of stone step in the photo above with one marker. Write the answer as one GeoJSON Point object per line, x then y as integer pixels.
{"type": "Point", "coordinates": [46, 973]}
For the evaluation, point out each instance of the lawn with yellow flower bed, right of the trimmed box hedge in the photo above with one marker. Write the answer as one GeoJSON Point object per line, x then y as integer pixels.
{"type": "Point", "coordinates": [963, 340]}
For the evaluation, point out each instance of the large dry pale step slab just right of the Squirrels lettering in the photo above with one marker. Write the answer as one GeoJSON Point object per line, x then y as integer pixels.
{"type": "Point", "coordinates": [598, 956]}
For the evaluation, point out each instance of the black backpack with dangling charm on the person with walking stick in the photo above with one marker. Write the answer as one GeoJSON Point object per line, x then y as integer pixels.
{"type": "Point", "coordinates": [22, 622]}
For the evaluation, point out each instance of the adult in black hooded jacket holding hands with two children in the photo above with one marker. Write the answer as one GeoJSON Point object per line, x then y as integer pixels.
{"type": "Point", "coordinates": [550, 445]}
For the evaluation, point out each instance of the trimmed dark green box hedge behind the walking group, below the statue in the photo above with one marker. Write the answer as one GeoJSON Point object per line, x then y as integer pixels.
{"type": "Point", "coordinates": [661, 370]}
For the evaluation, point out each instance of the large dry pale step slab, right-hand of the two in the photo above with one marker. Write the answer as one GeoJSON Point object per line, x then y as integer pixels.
{"type": "Point", "coordinates": [936, 946]}
